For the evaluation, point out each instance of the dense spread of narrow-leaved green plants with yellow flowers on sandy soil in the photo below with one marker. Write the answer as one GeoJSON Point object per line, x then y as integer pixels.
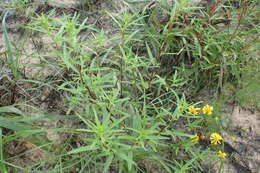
{"type": "Point", "coordinates": [128, 94]}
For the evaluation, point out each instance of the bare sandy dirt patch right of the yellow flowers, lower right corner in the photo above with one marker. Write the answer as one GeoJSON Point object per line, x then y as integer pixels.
{"type": "Point", "coordinates": [242, 139]}
